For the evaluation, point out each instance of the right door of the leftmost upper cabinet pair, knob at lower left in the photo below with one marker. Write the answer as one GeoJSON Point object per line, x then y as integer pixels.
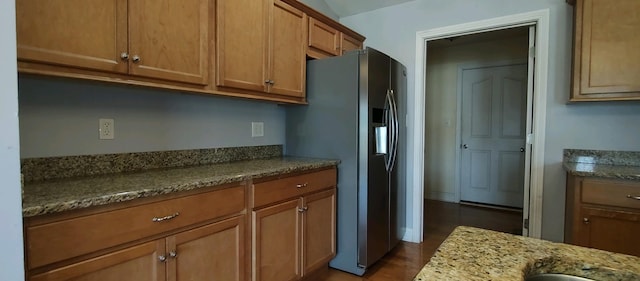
{"type": "Point", "coordinates": [170, 39]}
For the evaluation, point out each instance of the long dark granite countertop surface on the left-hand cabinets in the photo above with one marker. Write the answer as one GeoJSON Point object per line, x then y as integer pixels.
{"type": "Point", "coordinates": [52, 196]}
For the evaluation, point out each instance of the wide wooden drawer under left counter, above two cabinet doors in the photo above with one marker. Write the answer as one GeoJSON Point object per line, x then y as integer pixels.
{"type": "Point", "coordinates": [60, 240]}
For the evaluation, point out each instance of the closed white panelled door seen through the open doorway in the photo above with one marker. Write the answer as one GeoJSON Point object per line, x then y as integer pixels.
{"type": "Point", "coordinates": [494, 106]}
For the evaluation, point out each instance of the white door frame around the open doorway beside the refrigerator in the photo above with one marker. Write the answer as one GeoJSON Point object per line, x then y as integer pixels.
{"type": "Point", "coordinates": [540, 19]}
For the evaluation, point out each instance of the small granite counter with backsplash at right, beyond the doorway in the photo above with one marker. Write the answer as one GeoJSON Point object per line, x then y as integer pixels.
{"type": "Point", "coordinates": [600, 163]}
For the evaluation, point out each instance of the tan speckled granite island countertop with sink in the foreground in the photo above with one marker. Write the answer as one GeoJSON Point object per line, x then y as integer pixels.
{"type": "Point", "coordinates": [472, 254]}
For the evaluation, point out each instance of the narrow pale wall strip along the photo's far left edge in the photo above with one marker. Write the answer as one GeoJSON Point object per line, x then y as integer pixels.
{"type": "Point", "coordinates": [11, 259]}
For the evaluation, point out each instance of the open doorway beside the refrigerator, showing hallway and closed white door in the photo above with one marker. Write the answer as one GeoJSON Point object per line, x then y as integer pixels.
{"type": "Point", "coordinates": [476, 105]}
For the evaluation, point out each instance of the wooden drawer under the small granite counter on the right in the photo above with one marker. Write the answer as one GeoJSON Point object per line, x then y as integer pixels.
{"type": "Point", "coordinates": [611, 193]}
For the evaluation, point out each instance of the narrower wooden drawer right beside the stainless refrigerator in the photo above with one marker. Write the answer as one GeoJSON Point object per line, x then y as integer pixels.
{"type": "Point", "coordinates": [281, 189]}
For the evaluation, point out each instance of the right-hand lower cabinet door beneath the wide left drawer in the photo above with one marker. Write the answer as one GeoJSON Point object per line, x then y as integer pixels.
{"type": "Point", "coordinates": [211, 252]}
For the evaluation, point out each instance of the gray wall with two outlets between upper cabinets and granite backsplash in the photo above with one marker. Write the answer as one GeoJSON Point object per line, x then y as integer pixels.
{"type": "Point", "coordinates": [59, 117]}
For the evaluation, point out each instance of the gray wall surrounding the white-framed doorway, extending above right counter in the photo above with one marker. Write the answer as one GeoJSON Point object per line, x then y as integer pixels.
{"type": "Point", "coordinates": [607, 126]}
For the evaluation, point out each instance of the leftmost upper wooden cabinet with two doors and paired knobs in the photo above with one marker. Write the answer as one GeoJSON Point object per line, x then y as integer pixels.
{"type": "Point", "coordinates": [158, 39]}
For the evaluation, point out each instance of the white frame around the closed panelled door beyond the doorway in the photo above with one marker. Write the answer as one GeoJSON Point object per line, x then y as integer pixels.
{"type": "Point", "coordinates": [458, 161]}
